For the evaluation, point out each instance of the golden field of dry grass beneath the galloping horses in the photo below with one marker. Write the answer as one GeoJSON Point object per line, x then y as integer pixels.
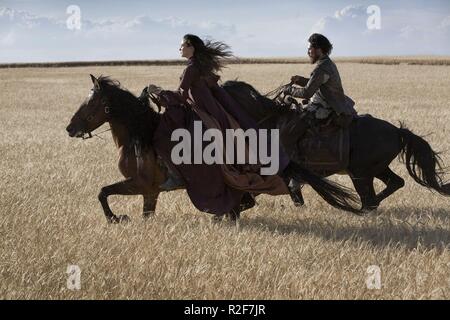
{"type": "Point", "coordinates": [50, 216]}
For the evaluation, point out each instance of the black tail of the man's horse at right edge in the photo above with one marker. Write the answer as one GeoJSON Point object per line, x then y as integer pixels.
{"type": "Point", "coordinates": [423, 163]}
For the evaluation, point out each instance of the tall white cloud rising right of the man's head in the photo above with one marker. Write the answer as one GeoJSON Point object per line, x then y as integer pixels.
{"type": "Point", "coordinates": [399, 35]}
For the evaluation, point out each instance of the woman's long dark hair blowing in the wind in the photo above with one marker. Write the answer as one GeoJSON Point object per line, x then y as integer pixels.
{"type": "Point", "coordinates": [209, 55]}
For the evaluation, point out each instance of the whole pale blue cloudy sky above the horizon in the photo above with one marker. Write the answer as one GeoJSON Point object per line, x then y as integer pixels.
{"type": "Point", "coordinates": [138, 29]}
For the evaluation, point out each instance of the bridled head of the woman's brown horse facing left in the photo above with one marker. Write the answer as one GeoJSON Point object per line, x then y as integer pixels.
{"type": "Point", "coordinates": [92, 113]}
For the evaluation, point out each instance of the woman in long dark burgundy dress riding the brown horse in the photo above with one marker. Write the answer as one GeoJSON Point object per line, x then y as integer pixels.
{"type": "Point", "coordinates": [214, 188]}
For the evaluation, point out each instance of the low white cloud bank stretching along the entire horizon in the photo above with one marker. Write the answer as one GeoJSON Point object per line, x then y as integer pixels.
{"type": "Point", "coordinates": [28, 37]}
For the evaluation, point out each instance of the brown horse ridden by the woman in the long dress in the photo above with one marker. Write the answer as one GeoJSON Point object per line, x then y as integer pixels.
{"type": "Point", "coordinates": [133, 122]}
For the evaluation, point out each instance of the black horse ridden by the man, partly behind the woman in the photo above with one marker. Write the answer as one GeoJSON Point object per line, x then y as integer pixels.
{"type": "Point", "coordinates": [374, 143]}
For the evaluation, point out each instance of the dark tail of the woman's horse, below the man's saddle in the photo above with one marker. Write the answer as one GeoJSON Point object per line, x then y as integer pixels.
{"type": "Point", "coordinates": [333, 193]}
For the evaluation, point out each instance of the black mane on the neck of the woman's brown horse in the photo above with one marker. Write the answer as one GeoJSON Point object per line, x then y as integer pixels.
{"type": "Point", "coordinates": [136, 114]}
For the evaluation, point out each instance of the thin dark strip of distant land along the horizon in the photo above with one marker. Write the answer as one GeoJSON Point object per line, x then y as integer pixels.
{"type": "Point", "coordinates": [423, 60]}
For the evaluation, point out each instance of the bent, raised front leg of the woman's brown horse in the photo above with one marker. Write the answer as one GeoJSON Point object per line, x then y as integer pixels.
{"type": "Point", "coordinates": [129, 186]}
